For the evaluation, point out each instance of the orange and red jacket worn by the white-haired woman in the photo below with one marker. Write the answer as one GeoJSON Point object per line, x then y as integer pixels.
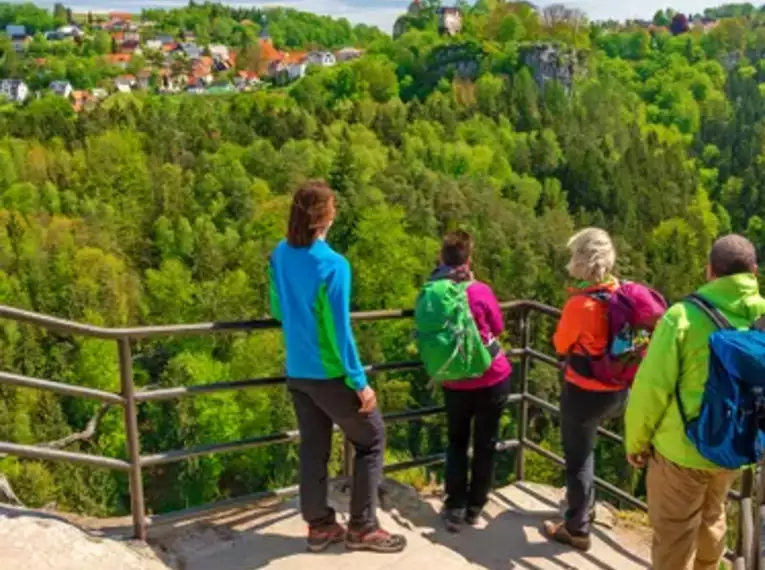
{"type": "Point", "coordinates": [583, 329]}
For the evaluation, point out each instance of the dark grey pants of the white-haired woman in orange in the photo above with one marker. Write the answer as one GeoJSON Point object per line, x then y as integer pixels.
{"type": "Point", "coordinates": [582, 411]}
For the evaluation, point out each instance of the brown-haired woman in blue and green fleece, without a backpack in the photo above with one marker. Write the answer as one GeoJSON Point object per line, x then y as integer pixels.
{"type": "Point", "coordinates": [310, 291]}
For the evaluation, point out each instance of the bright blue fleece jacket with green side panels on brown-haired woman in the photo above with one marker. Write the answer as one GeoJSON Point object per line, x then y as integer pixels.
{"type": "Point", "coordinates": [310, 292]}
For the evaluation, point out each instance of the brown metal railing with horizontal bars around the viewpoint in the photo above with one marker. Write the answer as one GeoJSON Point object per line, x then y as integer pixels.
{"type": "Point", "coordinates": [745, 557]}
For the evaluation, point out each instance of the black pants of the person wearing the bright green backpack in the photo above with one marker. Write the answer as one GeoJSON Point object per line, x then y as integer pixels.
{"type": "Point", "coordinates": [463, 408]}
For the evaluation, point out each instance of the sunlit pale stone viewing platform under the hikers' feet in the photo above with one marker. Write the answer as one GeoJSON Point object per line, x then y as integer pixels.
{"type": "Point", "coordinates": [271, 535]}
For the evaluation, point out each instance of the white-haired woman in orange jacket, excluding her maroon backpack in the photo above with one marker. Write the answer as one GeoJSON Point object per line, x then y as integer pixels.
{"type": "Point", "coordinates": [586, 401]}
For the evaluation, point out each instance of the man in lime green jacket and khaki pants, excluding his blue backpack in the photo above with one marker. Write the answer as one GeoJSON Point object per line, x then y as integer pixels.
{"type": "Point", "coordinates": [687, 493]}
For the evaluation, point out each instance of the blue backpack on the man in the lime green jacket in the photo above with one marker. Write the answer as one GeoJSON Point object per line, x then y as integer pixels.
{"type": "Point", "coordinates": [729, 428]}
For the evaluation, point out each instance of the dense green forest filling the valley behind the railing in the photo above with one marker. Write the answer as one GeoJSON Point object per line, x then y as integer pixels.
{"type": "Point", "coordinates": [163, 209]}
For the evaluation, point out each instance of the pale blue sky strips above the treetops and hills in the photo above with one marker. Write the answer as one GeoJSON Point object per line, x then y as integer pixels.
{"type": "Point", "coordinates": [383, 13]}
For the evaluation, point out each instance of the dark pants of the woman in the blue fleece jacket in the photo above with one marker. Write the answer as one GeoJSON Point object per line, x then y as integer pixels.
{"type": "Point", "coordinates": [319, 404]}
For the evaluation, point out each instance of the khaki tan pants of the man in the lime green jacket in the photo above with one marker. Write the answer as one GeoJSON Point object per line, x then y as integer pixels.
{"type": "Point", "coordinates": [686, 508]}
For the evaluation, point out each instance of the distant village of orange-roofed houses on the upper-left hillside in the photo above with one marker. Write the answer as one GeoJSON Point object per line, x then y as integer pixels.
{"type": "Point", "coordinates": [186, 65]}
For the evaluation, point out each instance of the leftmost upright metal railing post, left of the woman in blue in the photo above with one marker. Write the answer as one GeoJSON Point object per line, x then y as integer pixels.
{"type": "Point", "coordinates": [137, 507]}
